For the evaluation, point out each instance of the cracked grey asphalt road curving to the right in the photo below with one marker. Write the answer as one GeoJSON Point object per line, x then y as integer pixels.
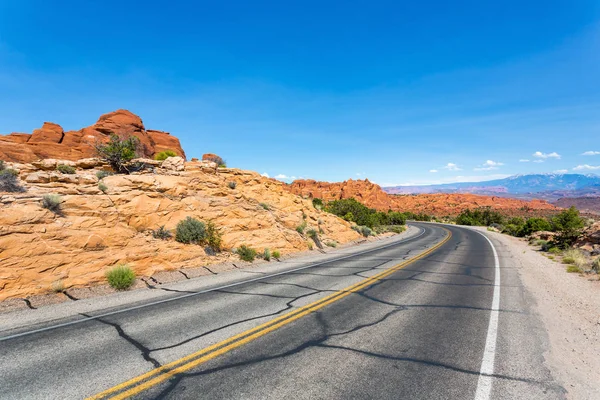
{"type": "Point", "coordinates": [414, 320]}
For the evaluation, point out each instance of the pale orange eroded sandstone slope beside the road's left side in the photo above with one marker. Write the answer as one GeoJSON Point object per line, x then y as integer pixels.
{"type": "Point", "coordinates": [98, 230]}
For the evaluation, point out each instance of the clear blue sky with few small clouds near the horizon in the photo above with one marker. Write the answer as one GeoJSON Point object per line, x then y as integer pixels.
{"type": "Point", "coordinates": [385, 90]}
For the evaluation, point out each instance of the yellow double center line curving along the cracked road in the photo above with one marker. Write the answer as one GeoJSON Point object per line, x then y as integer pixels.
{"type": "Point", "coordinates": [156, 376]}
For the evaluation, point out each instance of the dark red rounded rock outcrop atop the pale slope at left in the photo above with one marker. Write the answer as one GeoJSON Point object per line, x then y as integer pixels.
{"type": "Point", "coordinates": [51, 141]}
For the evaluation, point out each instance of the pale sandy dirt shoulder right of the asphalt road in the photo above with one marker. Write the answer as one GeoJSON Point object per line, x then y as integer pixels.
{"type": "Point", "coordinates": [569, 307]}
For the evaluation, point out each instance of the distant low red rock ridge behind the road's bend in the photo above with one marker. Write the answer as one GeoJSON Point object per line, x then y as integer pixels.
{"type": "Point", "coordinates": [440, 204]}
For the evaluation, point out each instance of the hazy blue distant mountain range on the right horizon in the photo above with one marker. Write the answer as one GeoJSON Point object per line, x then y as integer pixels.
{"type": "Point", "coordinates": [541, 186]}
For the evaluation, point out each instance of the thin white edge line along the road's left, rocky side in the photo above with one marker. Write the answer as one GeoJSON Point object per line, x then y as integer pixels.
{"type": "Point", "coordinates": [204, 291]}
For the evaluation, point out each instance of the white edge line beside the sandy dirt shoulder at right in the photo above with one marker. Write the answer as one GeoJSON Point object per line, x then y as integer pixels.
{"type": "Point", "coordinates": [484, 384]}
